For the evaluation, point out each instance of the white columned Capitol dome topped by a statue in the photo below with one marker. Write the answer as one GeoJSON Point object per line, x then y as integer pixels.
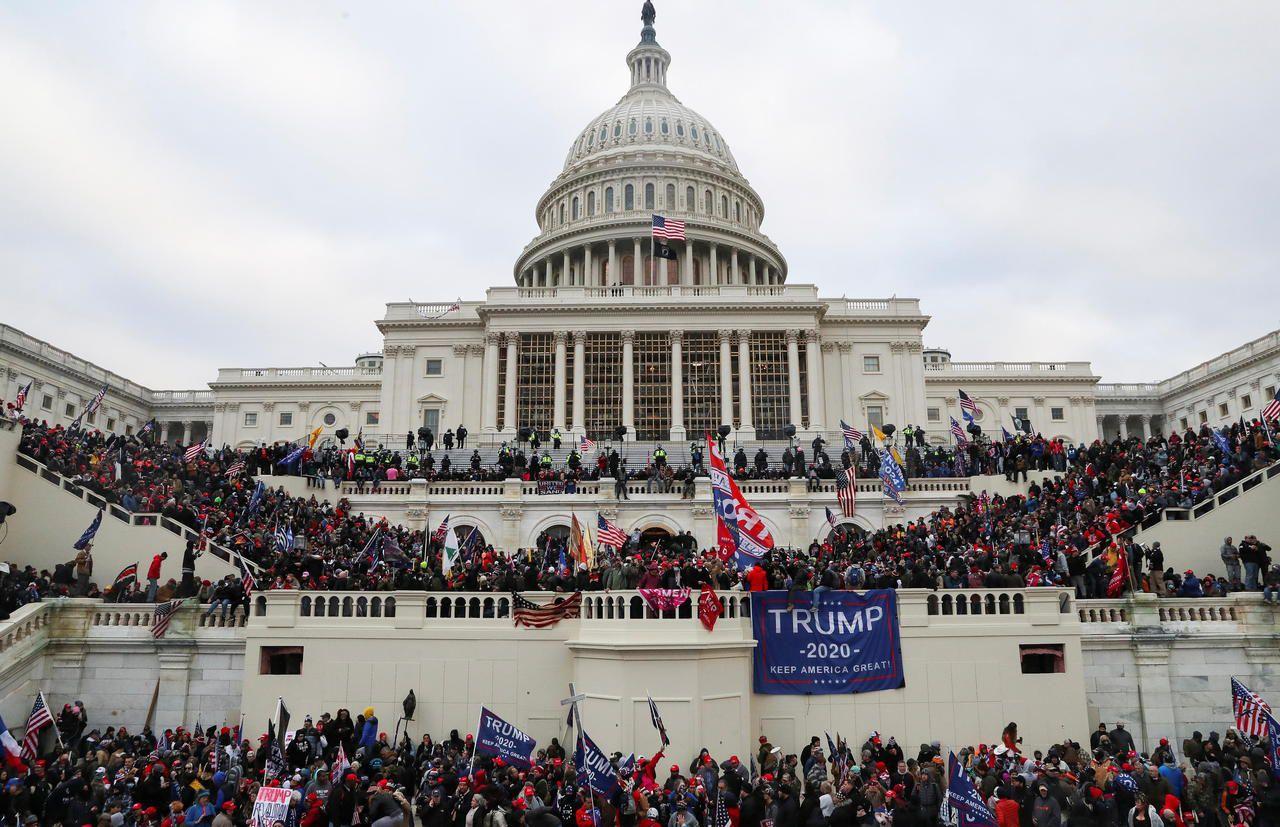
{"type": "Point", "coordinates": [650, 156]}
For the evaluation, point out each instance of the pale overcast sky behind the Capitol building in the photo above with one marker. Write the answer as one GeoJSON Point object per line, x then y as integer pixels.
{"type": "Point", "coordinates": [191, 186]}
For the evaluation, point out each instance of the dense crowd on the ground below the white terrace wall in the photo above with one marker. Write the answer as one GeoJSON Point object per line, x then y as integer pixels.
{"type": "Point", "coordinates": [344, 771]}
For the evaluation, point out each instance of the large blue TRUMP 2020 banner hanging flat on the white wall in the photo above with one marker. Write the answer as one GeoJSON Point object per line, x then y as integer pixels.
{"type": "Point", "coordinates": [851, 645]}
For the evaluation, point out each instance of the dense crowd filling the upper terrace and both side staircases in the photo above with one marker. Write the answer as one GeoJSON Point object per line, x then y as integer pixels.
{"type": "Point", "coordinates": [1072, 529]}
